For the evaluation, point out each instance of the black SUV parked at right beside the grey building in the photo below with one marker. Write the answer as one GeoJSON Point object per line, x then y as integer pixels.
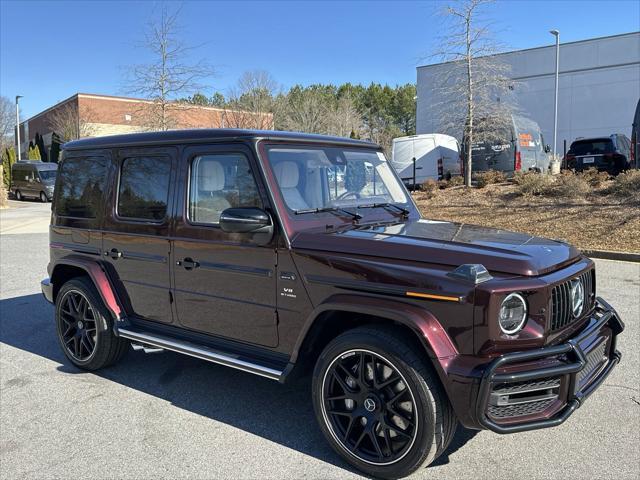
{"type": "Point", "coordinates": [608, 154]}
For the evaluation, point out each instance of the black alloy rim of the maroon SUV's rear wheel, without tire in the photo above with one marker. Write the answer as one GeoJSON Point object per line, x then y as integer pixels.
{"type": "Point", "coordinates": [78, 323]}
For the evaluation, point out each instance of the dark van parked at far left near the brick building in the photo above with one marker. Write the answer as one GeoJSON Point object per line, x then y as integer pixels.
{"type": "Point", "coordinates": [33, 179]}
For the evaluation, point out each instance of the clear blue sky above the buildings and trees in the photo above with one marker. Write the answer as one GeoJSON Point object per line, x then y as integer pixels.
{"type": "Point", "coordinates": [50, 50]}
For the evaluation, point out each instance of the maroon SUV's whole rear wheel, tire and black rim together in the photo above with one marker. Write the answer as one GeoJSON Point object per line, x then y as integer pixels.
{"type": "Point", "coordinates": [86, 334]}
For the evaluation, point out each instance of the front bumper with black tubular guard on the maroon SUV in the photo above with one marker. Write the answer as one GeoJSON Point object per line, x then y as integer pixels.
{"type": "Point", "coordinates": [558, 378]}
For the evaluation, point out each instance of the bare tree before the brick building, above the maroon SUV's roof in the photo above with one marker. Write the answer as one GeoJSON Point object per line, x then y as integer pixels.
{"type": "Point", "coordinates": [168, 76]}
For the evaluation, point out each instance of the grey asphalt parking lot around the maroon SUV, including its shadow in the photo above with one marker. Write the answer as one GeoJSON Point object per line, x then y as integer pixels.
{"type": "Point", "coordinates": [169, 416]}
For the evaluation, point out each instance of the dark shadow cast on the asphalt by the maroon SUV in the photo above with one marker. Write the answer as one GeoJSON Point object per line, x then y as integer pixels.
{"type": "Point", "coordinates": [279, 413]}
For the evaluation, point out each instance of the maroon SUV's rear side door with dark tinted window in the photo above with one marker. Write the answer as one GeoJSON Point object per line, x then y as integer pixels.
{"type": "Point", "coordinates": [136, 242]}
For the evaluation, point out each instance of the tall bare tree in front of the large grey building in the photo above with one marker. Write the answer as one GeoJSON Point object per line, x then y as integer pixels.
{"type": "Point", "coordinates": [473, 88]}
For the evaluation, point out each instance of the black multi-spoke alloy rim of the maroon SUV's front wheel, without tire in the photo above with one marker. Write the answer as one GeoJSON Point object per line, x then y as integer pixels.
{"type": "Point", "coordinates": [369, 407]}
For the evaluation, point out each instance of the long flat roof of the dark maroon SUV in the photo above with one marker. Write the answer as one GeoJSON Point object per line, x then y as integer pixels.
{"type": "Point", "coordinates": [208, 134]}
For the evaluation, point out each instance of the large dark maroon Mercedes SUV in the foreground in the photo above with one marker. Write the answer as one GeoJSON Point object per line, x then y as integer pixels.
{"type": "Point", "coordinates": [274, 253]}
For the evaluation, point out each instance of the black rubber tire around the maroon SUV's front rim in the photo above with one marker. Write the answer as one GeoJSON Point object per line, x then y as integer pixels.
{"type": "Point", "coordinates": [423, 446]}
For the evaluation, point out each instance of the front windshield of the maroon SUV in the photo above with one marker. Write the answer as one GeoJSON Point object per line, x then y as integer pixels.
{"type": "Point", "coordinates": [317, 178]}
